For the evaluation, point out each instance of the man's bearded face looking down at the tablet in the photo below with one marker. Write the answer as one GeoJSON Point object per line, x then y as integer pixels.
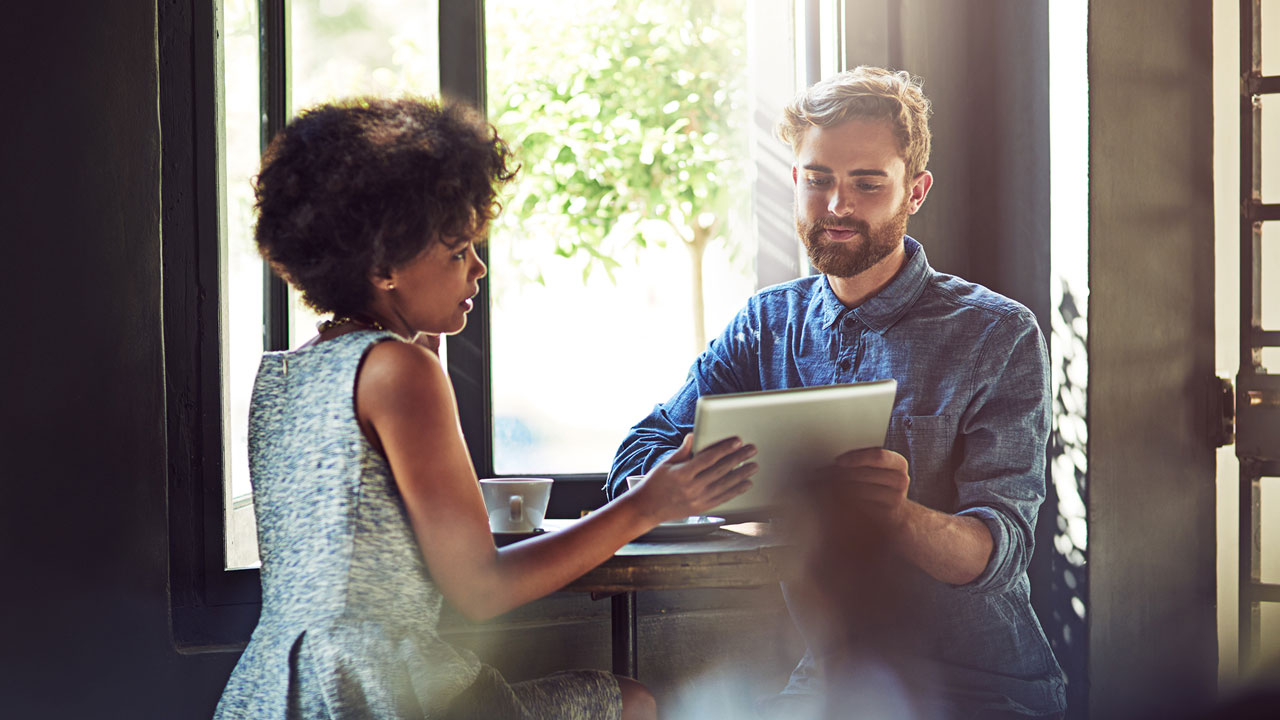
{"type": "Point", "coordinates": [852, 195]}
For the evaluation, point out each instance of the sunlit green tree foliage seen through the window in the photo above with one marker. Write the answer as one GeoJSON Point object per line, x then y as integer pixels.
{"type": "Point", "coordinates": [628, 119]}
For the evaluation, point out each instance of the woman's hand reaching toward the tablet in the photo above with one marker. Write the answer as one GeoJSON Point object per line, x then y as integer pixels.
{"type": "Point", "coordinates": [689, 485]}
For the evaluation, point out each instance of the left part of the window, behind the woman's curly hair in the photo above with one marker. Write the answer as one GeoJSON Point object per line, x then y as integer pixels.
{"type": "Point", "coordinates": [330, 49]}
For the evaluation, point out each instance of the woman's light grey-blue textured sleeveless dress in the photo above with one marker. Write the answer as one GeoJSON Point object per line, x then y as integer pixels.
{"type": "Point", "coordinates": [350, 613]}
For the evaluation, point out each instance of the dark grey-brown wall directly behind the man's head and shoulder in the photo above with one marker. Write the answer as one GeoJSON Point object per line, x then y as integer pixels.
{"type": "Point", "coordinates": [986, 69]}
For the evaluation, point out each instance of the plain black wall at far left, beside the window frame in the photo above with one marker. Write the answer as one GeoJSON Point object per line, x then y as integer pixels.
{"type": "Point", "coordinates": [84, 521]}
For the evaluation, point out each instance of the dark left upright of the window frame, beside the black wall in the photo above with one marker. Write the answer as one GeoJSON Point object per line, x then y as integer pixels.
{"type": "Point", "coordinates": [211, 608]}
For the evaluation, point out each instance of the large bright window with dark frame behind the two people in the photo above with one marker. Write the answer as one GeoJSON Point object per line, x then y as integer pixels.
{"type": "Point", "coordinates": [237, 70]}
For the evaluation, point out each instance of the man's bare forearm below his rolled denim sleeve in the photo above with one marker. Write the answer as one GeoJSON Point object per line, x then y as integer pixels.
{"type": "Point", "coordinates": [952, 549]}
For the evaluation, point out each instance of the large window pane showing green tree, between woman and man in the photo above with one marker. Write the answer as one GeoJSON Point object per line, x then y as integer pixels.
{"type": "Point", "coordinates": [625, 244]}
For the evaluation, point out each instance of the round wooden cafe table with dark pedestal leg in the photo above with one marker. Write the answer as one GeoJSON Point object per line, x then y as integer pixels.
{"type": "Point", "coordinates": [734, 557]}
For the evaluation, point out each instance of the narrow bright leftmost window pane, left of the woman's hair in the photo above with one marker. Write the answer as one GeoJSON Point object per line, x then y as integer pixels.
{"type": "Point", "coordinates": [244, 277]}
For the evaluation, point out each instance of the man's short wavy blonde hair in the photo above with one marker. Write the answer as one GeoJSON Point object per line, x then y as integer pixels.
{"type": "Point", "coordinates": [865, 94]}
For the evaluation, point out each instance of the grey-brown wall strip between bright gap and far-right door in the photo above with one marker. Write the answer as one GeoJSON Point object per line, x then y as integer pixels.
{"type": "Point", "coordinates": [1153, 623]}
